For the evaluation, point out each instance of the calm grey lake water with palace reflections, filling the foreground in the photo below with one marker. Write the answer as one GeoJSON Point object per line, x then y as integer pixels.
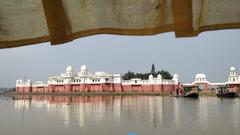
{"type": "Point", "coordinates": [118, 115]}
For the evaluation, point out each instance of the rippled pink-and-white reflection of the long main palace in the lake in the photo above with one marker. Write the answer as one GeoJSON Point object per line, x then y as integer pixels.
{"type": "Point", "coordinates": [84, 108]}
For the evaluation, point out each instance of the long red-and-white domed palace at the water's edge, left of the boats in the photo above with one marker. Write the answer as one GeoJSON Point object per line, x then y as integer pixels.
{"type": "Point", "coordinates": [84, 81]}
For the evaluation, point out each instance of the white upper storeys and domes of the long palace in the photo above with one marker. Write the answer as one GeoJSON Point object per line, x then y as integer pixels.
{"type": "Point", "coordinates": [85, 77]}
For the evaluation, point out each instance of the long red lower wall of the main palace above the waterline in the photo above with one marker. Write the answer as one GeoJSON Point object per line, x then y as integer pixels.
{"type": "Point", "coordinates": [101, 88]}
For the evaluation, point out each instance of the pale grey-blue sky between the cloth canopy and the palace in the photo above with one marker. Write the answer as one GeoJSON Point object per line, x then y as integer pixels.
{"type": "Point", "coordinates": [211, 53]}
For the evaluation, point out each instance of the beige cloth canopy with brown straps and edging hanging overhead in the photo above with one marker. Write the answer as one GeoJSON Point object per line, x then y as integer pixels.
{"type": "Point", "coordinates": [24, 22]}
